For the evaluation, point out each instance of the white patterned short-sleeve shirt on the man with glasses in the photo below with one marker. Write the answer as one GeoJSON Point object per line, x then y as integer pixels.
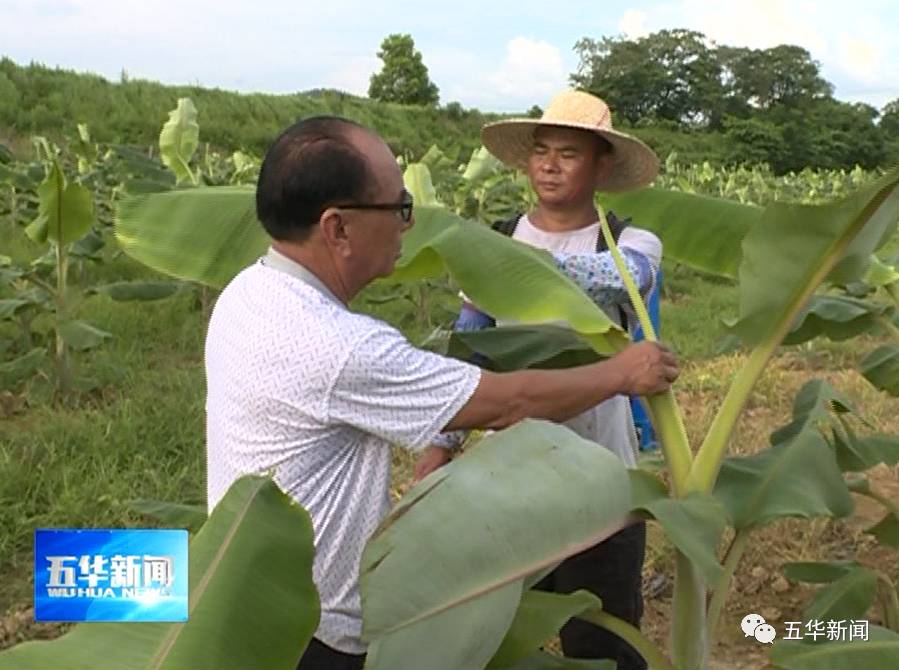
{"type": "Point", "coordinates": [300, 386]}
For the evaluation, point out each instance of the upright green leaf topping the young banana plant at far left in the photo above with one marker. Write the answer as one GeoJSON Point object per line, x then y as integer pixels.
{"type": "Point", "coordinates": [66, 210]}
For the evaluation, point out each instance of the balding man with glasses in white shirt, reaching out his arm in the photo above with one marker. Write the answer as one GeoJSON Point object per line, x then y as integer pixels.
{"type": "Point", "coordinates": [300, 385]}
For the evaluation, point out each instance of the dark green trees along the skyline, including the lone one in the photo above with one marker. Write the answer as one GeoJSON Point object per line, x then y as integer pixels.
{"type": "Point", "coordinates": [730, 105]}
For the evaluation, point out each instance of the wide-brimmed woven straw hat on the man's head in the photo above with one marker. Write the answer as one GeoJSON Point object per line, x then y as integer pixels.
{"type": "Point", "coordinates": [634, 164]}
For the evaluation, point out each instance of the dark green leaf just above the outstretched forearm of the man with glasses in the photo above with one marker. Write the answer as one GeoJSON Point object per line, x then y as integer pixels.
{"type": "Point", "coordinates": [519, 347]}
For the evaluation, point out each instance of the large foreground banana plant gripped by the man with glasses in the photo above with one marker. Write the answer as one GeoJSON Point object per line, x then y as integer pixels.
{"type": "Point", "coordinates": [781, 255]}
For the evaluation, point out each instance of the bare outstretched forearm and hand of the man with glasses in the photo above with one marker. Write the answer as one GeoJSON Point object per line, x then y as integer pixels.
{"type": "Point", "coordinates": [502, 399]}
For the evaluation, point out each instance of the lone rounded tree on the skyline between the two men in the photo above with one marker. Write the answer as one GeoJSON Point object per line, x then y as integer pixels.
{"type": "Point", "coordinates": [404, 77]}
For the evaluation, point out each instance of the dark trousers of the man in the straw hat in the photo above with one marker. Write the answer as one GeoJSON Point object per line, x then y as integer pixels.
{"type": "Point", "coordinates": [613, 571]}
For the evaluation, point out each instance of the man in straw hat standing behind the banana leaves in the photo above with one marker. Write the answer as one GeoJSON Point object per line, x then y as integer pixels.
{"type": "Point", "coordinates": [569, 154]}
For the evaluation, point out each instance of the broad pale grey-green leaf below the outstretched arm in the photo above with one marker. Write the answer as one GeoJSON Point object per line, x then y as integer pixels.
{"type": "Point", "coordinates": [525, 498]}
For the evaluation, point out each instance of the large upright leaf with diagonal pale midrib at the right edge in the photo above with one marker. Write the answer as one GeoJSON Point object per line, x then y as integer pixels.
{"type": "Point", "coordinates": [793, 248]}
